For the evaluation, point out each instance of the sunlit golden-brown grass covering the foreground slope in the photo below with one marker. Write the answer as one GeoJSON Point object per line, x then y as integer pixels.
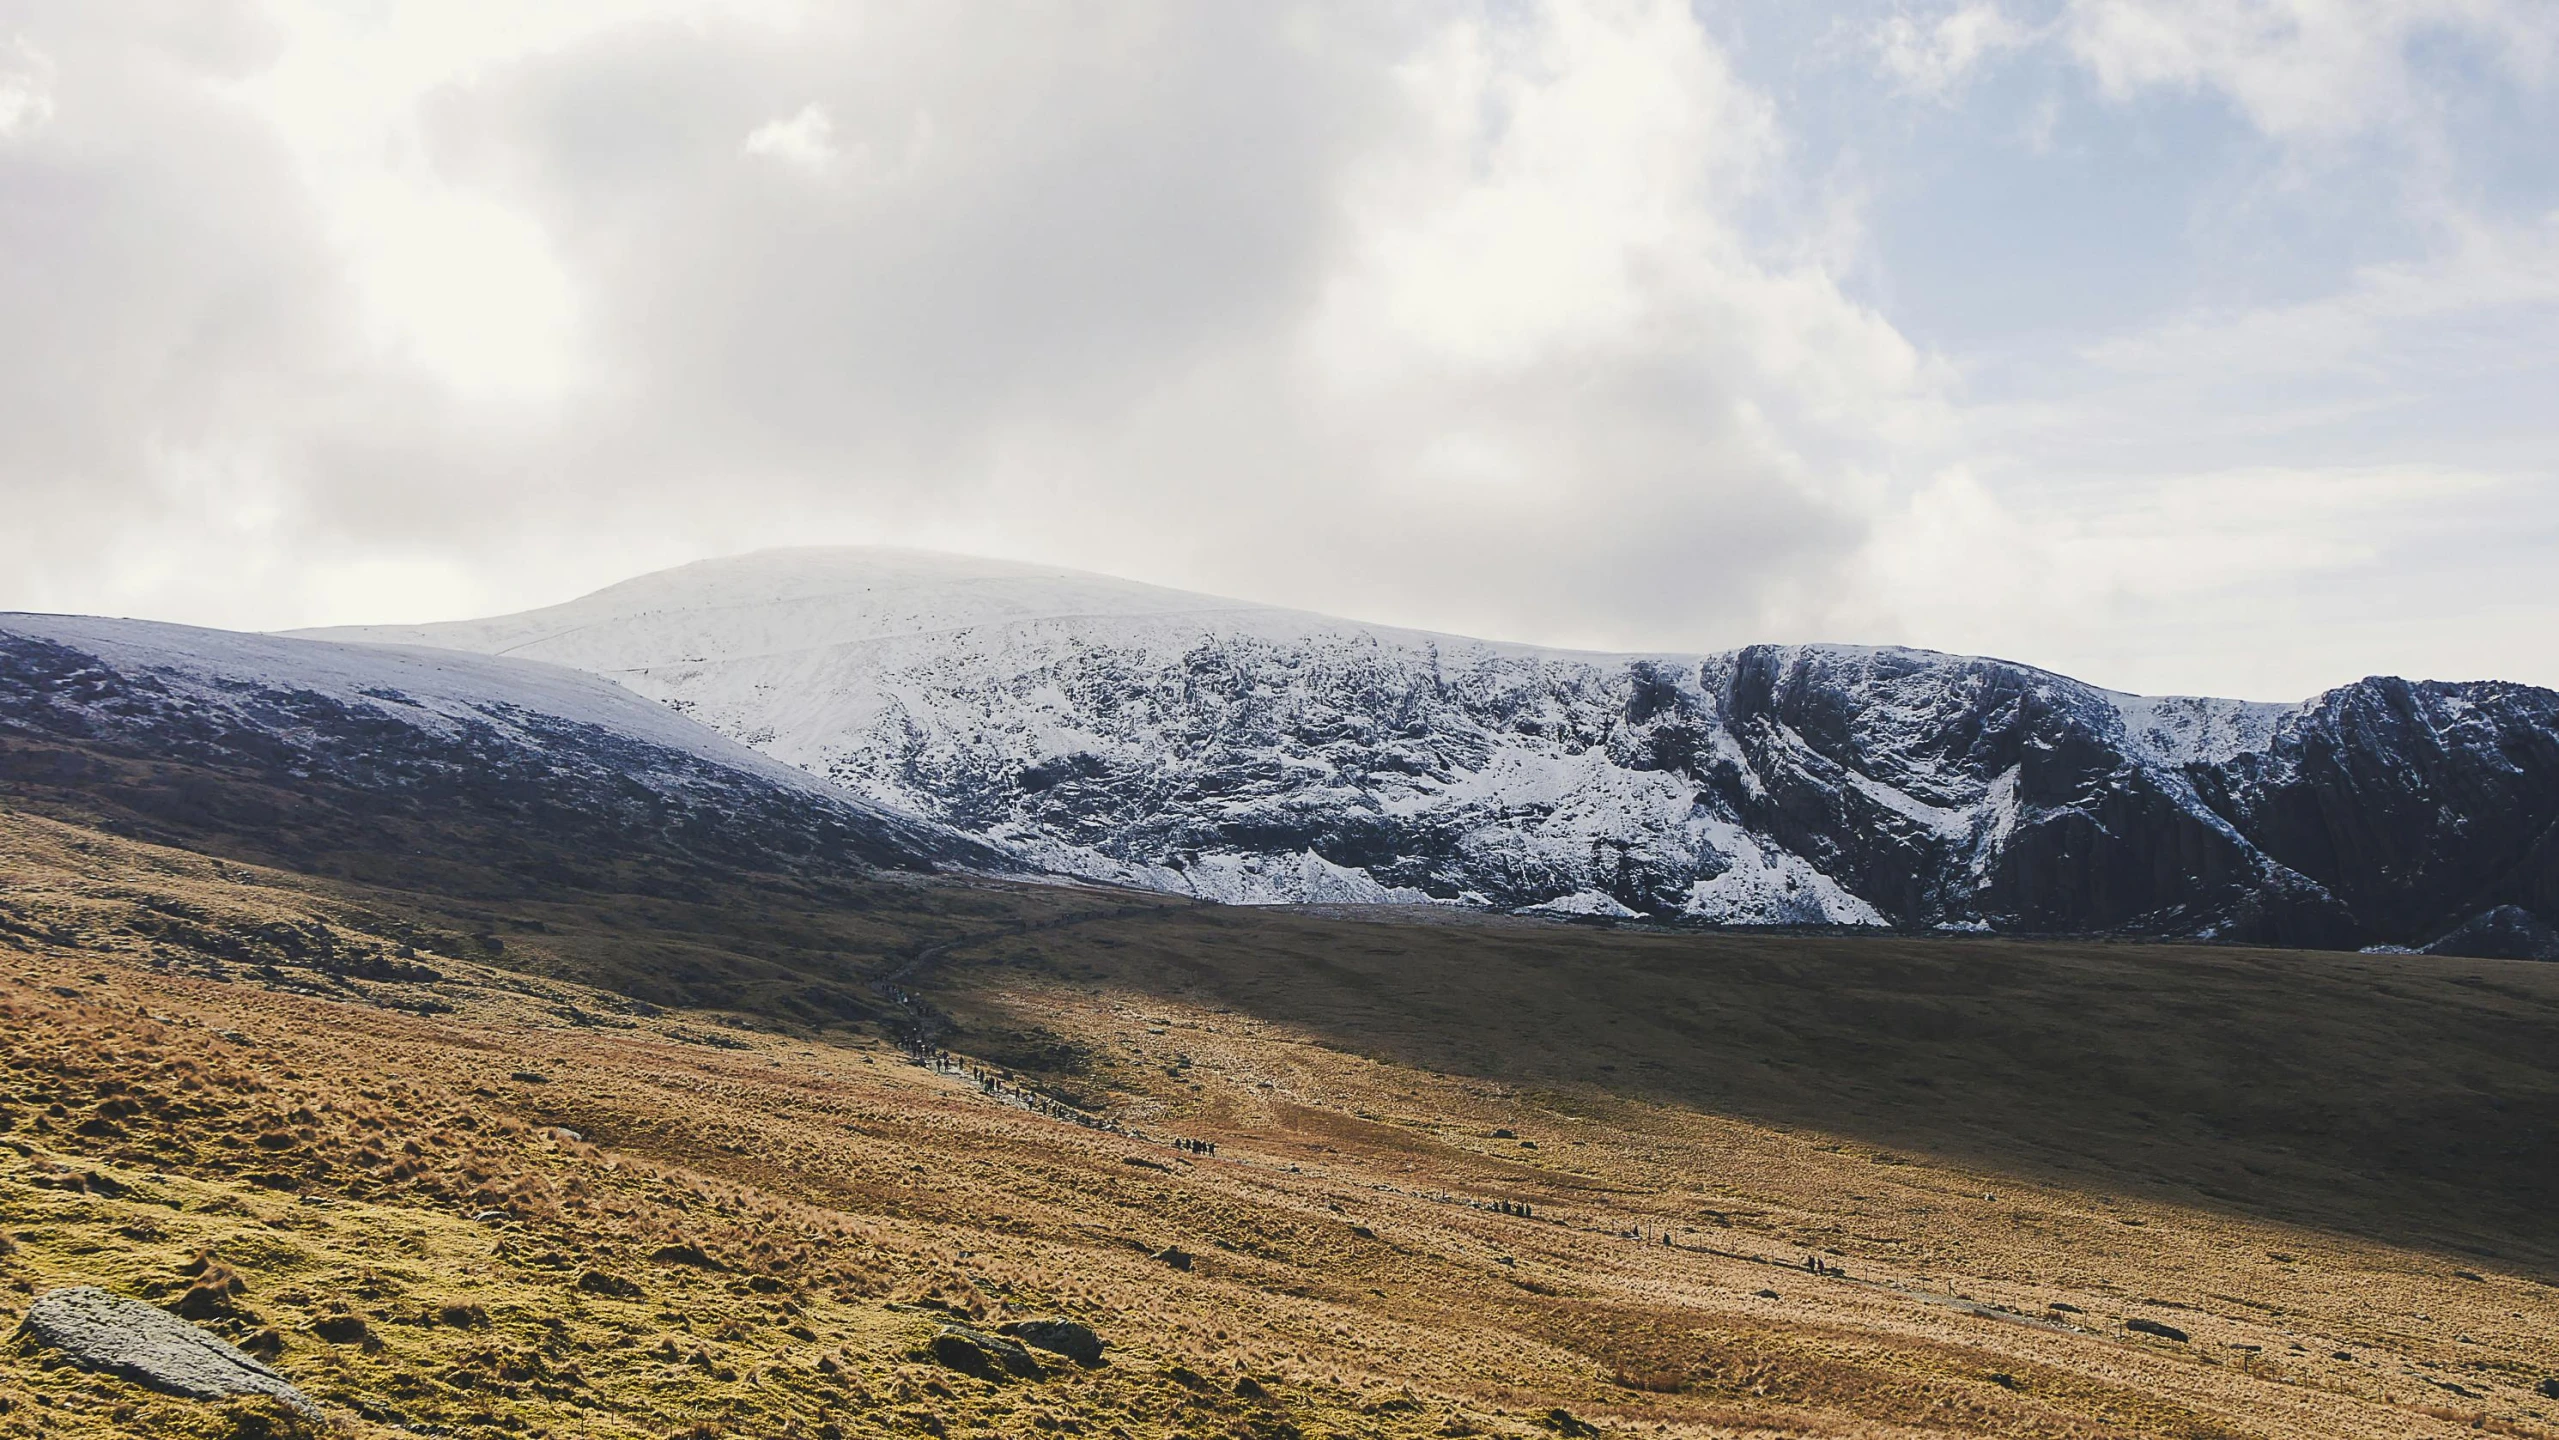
{"type": "Point", "coordinates": [383, 1168]}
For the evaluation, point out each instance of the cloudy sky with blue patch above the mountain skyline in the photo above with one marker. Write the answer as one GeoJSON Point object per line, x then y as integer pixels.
{"type": "Point", "coordinates": [2187, 347]}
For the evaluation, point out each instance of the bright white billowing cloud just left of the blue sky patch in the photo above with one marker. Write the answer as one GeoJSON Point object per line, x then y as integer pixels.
{"type": "Point", "coordinates": [1552, 367]}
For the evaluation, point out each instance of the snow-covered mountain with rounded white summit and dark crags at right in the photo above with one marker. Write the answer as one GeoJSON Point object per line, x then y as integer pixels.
{"type": "Point", "coordinates": [1253, 753]}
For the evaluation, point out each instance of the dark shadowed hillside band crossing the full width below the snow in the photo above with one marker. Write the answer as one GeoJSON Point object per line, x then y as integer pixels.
{"type": "Point", "coordinates": [2412, 1099]}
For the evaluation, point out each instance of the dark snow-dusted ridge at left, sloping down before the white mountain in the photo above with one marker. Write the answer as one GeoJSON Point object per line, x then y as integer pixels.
{"type": "Point", "coordinates": [470, 738]}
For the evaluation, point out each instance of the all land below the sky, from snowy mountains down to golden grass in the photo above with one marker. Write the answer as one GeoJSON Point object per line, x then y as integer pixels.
{"type": "Point", "coordinates": [508, 1050]}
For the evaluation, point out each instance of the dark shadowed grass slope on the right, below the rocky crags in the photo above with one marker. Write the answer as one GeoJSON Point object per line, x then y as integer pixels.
{"type": "Point", "coordinates": [2404, 1099]}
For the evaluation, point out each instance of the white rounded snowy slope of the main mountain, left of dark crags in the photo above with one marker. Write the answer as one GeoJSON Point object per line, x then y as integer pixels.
{"type": "Point", "coordinates": [1163, 738]}
